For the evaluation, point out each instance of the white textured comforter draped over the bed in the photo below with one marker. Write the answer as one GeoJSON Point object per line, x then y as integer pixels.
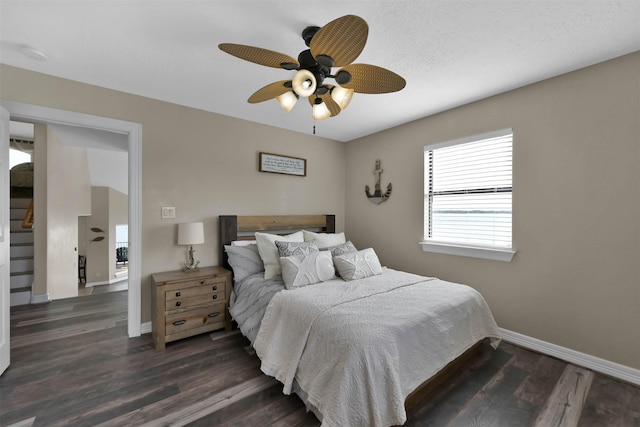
{"type": "Point", "coordinates": [358, 349]}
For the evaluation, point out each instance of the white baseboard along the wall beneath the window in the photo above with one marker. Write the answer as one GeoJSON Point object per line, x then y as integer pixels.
{"type": "Point", "coordinates": [622, 372]}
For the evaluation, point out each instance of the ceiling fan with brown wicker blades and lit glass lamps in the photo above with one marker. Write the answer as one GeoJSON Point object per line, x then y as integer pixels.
{"type": "Point", "coordinates": [337, 44]}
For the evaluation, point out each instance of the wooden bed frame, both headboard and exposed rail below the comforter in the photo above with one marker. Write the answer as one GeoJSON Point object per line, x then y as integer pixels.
{"type": "Point", "coordinates": [233, 227]}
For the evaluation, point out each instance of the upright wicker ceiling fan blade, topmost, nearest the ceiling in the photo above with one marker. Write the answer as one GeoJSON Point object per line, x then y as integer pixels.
{"type": "Point", "coordinates": [341, 39]}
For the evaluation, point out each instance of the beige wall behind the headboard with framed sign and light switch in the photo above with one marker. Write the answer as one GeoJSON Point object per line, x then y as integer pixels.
{"type": "Point", "coordinates": [201, 163]}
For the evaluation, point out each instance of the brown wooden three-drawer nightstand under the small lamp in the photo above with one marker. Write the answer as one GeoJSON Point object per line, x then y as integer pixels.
{"type": "Point", "coordinates": [187, 304]}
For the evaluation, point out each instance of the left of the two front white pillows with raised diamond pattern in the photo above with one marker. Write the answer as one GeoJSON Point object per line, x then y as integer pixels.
{"type": "Point", "coordinates": [302, 270]}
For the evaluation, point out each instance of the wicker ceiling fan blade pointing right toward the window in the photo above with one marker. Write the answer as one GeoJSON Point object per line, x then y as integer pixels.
{"type": "Point", "coordinates": [367, 78]}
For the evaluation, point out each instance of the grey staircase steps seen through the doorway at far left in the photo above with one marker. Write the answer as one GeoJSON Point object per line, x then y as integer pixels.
{"type": "Point", "coordinates": [21, 254]}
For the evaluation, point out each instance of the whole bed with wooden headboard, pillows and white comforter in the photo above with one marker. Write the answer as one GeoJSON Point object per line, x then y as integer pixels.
{"type": "Point", "coordinates": [358, 349]}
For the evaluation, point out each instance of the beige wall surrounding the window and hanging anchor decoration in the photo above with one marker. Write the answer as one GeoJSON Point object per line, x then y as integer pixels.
{"type": "Point", "coordinates": [575, 280]}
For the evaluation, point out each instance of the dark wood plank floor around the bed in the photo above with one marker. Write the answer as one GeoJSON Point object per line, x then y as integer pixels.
{"type": "Point", "coordinates": [73, 365]}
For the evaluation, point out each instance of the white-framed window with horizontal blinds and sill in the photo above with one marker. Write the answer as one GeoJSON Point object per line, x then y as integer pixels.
{"type": "Point", "coordinates": [467, 197]}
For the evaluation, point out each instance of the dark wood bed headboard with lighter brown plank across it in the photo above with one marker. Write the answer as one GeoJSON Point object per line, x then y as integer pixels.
{"type": "Point", "coordinates": [234, 227]}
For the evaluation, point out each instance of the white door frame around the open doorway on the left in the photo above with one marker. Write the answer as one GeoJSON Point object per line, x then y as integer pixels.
{"type": "Point", "coordinates": [39, 114]}
